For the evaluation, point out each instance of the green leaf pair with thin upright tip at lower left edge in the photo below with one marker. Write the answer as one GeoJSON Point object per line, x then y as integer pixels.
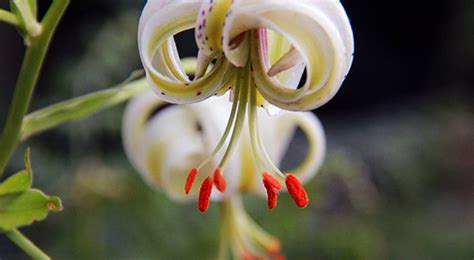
{"type": "Point", "coordinates": [21, 205]}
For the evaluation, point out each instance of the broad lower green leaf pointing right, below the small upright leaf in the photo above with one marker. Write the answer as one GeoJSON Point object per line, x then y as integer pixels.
{"type": "Point", "coordinates": [20, 209]}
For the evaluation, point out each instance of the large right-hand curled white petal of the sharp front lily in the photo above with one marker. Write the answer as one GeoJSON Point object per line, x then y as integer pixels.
{"type": "Point", "coordinates": [319, 30]}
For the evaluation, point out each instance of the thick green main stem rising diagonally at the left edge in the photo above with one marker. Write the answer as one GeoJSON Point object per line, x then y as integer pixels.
{"type": "Point", "coordinates": [30, 69]}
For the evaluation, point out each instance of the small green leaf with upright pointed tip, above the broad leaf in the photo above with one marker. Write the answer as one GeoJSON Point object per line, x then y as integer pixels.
{"type": "Point", "coordinates": [20, 181]}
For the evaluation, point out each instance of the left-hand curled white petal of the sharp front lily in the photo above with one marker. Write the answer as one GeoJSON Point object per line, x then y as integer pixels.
{"type": "Point", "coordinates": [159, 22]}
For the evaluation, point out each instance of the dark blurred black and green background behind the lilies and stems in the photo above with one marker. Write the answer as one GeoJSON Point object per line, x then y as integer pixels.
{"type": "Point", "coordinates": [397, 183]}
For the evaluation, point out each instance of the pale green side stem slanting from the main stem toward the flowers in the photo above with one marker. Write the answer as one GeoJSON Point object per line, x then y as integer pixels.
{"type": "Point", "coordinates": [80, 107]}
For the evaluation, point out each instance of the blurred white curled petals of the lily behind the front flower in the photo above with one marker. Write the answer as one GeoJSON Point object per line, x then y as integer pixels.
{"type": "Point", "coordinates": [163, 146]}
